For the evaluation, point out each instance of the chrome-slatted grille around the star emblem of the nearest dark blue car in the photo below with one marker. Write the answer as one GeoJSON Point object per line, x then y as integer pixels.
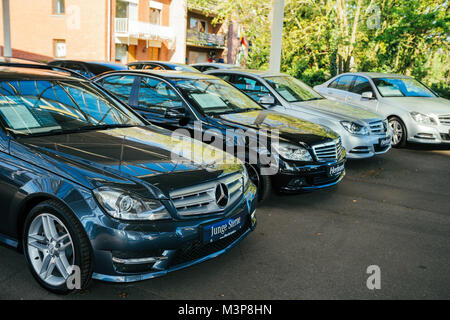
{"type": "Point", "coordinates": [201, 199]}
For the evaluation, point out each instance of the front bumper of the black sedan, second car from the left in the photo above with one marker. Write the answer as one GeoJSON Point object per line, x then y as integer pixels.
{"type": "Point", "coordinates": [297, 178]}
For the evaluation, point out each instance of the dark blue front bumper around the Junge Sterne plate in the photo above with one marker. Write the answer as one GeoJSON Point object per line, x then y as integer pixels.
{"type": "Point", "coordinates": [125, 252]}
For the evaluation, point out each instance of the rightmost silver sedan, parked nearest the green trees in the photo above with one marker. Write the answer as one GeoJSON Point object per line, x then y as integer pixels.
{"type": "Point", "coordinates": [415, 113]}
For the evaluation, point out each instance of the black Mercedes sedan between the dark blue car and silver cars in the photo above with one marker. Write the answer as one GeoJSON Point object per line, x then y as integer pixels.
{"type": "Point", "coordinates": [307, 156]}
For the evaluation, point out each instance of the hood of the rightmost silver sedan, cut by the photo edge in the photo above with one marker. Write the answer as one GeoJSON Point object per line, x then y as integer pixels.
{"type": "Point", "coordinates": [436, 106]}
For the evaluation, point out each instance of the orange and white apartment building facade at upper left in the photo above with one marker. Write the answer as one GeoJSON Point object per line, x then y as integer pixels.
{"type": "Point", "coordinates": [112, 30]}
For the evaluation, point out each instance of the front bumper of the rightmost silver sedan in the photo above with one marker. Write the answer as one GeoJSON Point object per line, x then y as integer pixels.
{"type": "Point", "coordinates": [418, 133]}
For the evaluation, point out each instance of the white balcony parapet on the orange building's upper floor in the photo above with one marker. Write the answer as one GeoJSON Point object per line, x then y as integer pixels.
{"type": "Point", "coordinates": [125, 27]}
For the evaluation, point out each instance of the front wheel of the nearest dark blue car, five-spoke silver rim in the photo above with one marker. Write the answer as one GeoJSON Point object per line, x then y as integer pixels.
{"type": "Point", "coordinates": [54, 237]}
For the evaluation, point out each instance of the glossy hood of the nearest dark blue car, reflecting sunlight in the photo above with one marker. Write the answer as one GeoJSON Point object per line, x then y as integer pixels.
{"type": "Point", "coordinates": [139, 158]}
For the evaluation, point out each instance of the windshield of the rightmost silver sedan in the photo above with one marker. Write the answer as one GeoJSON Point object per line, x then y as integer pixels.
{"type": "Point", "coordinates": [402, 87]}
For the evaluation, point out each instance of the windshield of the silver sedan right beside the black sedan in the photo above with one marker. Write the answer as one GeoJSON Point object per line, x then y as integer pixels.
{"type": "Point", "coordinates": [292, 89]}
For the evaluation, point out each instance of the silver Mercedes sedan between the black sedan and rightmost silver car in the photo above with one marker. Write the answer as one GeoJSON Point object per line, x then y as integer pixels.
{"type": "Point", "coordinates": [363, 133]}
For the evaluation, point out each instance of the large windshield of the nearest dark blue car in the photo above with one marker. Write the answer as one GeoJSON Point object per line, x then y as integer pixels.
{"type": "Point", "coordinates": [46, 107]}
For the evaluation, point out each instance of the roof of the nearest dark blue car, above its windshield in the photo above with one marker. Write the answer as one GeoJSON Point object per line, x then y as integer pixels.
{"type": "Point", "coordinates": [18, 73]}
